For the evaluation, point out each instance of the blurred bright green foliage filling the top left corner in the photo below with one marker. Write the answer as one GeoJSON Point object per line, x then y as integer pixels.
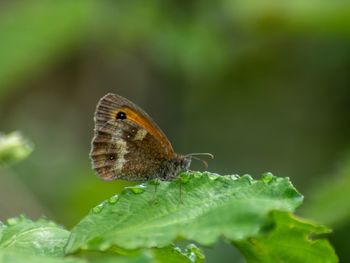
{"type": "Point", "coordinates": [23, 30]}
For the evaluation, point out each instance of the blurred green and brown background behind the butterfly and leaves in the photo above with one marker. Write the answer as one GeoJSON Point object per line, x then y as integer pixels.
{"type": "Point", "coordinates": [263, 85]}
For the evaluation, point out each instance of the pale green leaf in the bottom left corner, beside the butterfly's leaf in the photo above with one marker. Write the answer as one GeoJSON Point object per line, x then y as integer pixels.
{"type": "Point", "coordinates": [42, 237]}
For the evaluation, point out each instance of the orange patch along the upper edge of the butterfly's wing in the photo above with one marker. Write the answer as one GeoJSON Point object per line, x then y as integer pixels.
{"type": "Point", "coordinates": [146, 124]}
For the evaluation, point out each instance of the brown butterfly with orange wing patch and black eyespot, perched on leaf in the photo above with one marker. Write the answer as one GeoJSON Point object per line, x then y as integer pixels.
{"type": "Point", "coordinates": [129, 145]}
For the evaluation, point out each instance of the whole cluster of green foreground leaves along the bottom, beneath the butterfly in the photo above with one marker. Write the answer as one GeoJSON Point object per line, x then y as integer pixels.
{"type": "Point", "coordinates": [141, 224]}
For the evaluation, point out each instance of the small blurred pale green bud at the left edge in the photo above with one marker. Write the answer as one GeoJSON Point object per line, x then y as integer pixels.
{"type": "Point", "coordinates": [13, 147]}
